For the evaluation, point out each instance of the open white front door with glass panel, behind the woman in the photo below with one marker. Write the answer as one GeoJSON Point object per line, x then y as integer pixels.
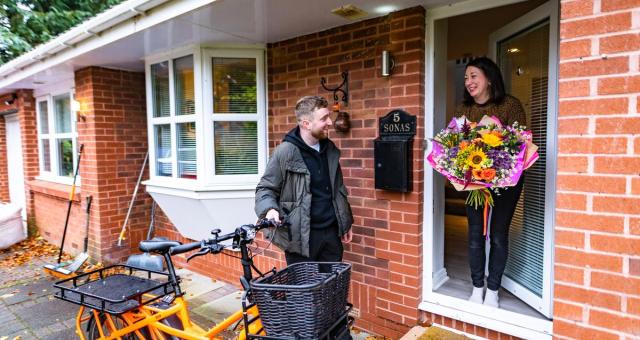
{"type": "Point", "coordinates": [523, 49]}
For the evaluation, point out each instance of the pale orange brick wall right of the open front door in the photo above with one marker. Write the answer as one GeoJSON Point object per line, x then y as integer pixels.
{"type": "Point", "coordinates": [597, 245]}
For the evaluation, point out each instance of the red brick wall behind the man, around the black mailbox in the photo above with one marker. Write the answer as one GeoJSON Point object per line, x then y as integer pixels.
{"type": "Point", "coordinates": [386, 252]}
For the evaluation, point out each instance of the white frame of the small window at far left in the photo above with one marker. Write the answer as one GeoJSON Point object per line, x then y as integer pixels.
{"type": "Point", "coordinates": [53, 136]}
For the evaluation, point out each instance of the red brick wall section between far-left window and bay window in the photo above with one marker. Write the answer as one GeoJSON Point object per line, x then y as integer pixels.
{"type": "Point", "coordinates": [114, 133]}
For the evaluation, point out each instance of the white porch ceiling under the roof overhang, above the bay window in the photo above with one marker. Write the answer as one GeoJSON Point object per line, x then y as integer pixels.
{"type": "Point", "coordinates": [224, 21]}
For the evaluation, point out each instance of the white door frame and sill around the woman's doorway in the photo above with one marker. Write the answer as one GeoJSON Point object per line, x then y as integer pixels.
{"type": "Point", "coordinates": [496, 319]}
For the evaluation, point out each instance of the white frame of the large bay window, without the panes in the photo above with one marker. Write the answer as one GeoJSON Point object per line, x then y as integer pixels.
{"type": "Point", "coordinates": [206, 180]}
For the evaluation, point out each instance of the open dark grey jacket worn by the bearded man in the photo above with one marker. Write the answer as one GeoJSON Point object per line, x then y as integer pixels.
{"type": "Point", "coordinates": [285, 186]}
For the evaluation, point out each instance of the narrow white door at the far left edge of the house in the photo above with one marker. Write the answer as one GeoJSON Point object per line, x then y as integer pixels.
{"type": "Point", "coordinates": [14, 163]}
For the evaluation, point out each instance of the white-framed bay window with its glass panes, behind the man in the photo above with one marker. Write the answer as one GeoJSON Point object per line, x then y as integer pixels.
{"type": "Point", "coordinates": [207, 114]}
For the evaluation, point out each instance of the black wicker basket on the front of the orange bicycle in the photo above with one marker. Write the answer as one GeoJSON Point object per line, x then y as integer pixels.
{"type": "Point", "coordinates": [304, 299]}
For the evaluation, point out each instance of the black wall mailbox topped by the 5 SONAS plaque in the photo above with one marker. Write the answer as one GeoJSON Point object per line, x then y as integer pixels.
{"type": "Point", "coordinates": [393, 156]}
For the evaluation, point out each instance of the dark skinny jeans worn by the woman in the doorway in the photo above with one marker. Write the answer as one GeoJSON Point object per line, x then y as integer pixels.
{"type": "Point", "coordinates": [503, 209]}
